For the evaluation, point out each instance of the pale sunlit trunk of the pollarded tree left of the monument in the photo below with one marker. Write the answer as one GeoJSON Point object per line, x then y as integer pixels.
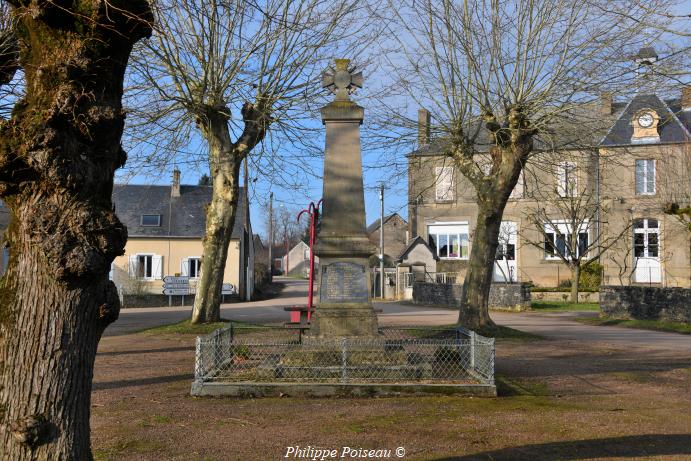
{"type": "Point", "coordinates": [220, 216]}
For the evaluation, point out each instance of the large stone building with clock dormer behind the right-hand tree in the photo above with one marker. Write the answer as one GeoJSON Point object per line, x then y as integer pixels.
{"type": "Point", "coordinates": [633, 171]}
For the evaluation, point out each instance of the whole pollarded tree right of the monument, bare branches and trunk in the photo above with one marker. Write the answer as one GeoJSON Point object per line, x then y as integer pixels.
{"type": "Point", "coordinates": [501, 77]}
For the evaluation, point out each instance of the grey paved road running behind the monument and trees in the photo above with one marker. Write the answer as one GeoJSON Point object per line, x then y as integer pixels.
{"type": "Point", "coordinates": [553, 325]}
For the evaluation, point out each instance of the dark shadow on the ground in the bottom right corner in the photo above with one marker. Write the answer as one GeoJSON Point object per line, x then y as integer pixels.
{"type": "Point", "coordinates": [627, 446]}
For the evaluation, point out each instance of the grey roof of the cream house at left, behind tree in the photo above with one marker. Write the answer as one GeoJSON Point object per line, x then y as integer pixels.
{"type": "Point", "coordinates": [182, 216]}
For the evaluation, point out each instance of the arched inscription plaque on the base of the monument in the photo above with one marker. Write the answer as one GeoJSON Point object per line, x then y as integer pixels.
{"type": "Point", "coordinates": [343, 282]}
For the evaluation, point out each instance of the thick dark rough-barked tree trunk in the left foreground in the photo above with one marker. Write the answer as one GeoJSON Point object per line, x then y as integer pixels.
{"type": "Point", "coordinates": [58, 155]}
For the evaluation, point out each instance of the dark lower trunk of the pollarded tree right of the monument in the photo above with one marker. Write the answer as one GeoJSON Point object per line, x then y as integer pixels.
{"type": "Point", "coordinates": [474, 311]}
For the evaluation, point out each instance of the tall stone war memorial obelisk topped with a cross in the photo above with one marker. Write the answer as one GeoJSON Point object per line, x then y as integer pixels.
{"type": "Point", "coordinates": [344, 308]}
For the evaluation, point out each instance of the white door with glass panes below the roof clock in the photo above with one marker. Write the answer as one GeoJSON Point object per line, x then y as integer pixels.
{"type": "Point", "coordinates": [646, 251]}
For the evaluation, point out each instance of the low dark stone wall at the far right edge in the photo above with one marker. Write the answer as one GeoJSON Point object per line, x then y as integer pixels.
{"type": "Point", "coordinates": [646, 303]}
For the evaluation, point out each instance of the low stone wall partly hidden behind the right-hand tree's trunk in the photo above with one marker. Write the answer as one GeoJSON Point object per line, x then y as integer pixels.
{"type": "Point", "coordinates": [506, 296]}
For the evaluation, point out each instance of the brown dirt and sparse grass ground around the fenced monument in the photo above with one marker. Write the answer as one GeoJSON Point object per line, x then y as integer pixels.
{"type": "Point", "coordinates": [559, 400]}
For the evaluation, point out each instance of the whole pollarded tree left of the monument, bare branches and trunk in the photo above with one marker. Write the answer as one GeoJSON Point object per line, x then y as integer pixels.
{"type": "Point", "coordinates": [237, 72]}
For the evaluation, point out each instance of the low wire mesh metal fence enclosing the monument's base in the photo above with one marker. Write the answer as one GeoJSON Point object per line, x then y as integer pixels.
{"type": "Point", "coordinates": [399, 355]}
